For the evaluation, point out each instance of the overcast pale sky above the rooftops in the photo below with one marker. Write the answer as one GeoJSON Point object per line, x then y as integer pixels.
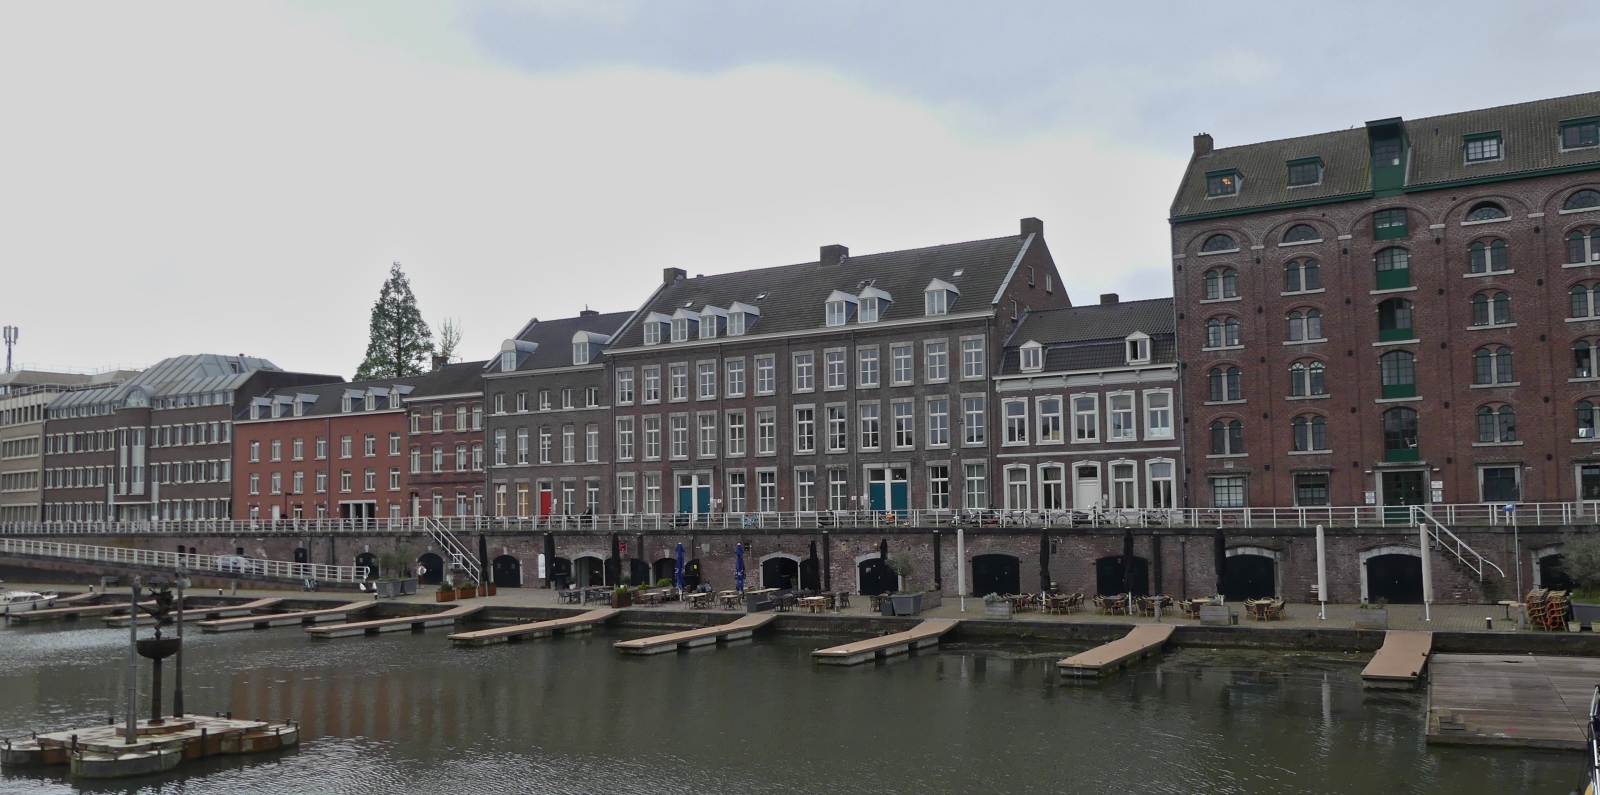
{"type": "Point", "coordinates": [183, 178]}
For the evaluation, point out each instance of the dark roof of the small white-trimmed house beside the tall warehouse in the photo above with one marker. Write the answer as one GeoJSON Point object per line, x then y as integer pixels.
{"type": "Point", "coordinates": [1092, 337]}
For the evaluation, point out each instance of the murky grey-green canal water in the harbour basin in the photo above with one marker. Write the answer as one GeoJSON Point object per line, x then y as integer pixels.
{"type": "Point", "coordinates": [412, 714]}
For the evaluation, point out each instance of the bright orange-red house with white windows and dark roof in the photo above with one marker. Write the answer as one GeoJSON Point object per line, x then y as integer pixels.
{"type": "Point", "coordinates": [324, 452]}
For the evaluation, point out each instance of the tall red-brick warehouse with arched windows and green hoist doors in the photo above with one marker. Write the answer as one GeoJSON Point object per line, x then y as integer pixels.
{"type": "Point", "coordinates": [1396, 314]}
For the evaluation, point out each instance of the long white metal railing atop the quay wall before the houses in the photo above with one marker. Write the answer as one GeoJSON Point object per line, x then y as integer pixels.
{"type": "Point", "coordinates": [1455, 516]}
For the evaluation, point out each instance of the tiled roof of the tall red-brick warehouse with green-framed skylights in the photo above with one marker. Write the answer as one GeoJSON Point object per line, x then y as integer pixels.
{"type": "Point", "coordinates": [1438, 154]}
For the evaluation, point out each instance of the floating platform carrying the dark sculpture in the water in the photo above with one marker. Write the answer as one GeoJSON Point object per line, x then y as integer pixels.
{"type": "Point", "coordinates": [100, 753]}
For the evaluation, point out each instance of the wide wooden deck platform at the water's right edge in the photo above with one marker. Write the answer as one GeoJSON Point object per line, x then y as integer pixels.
{"type": "Point", "coordinates": [1513, 701]}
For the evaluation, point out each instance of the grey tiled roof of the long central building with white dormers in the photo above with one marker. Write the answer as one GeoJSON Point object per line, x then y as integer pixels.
{"type": "Point", "coordinates": [791, 298]}
